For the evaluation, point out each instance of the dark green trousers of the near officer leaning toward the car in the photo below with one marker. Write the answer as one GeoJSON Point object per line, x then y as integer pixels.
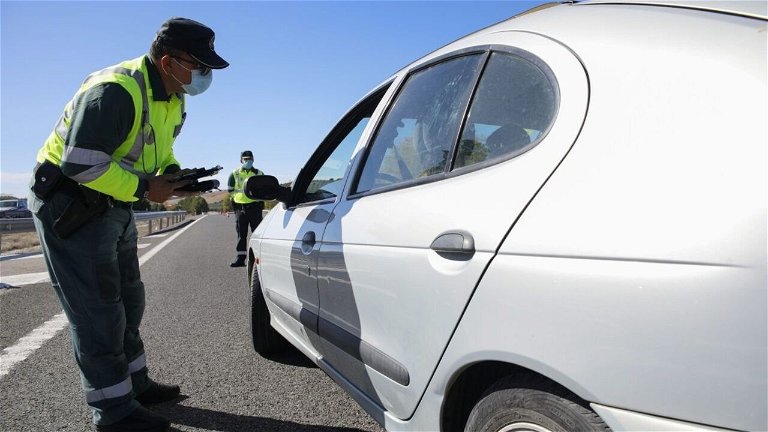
{"type": "Point", "coordinates": [95, 273]}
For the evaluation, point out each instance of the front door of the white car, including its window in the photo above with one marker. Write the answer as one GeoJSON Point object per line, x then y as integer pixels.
{"type": "Point", "coordinates": [290, 241]}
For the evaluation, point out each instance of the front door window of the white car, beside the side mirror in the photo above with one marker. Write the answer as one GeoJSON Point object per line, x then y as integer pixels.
{"type": "Point", "coordinates": [323, 176]}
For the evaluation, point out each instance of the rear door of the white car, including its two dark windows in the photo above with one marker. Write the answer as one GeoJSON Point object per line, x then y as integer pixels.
{"type": "Point", "coordinates": [462, 149]}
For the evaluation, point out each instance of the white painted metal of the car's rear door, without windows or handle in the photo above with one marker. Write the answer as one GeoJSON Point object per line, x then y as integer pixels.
{"type": "Point", "coordinates": [382, 283]}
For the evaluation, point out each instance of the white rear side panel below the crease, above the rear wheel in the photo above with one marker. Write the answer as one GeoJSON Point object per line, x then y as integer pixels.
{"type": "Point", "coordinates": [660, 338]}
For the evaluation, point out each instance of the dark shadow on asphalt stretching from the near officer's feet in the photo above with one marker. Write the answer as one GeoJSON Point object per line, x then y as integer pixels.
{"type": "Point", "coordinates": [225, 422]}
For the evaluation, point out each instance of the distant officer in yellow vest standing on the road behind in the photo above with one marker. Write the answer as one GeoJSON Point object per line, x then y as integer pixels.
{"type": "Point", "coordinates": [247, 211]}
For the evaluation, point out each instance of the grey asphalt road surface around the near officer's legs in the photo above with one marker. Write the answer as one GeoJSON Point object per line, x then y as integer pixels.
{"type": "Point", "coordinates": [196, 334]}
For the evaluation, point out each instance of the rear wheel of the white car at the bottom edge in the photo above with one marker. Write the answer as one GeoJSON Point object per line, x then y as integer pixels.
{"type": "Point", "coordinates": [510, 406]}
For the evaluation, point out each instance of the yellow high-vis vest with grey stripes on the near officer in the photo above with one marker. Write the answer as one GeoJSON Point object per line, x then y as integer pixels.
{"type": "Point", "coordinates": [148, 148]}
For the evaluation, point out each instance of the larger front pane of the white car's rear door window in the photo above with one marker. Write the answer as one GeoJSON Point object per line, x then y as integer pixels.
{"type": "Point", "coordinates": [416, 136]}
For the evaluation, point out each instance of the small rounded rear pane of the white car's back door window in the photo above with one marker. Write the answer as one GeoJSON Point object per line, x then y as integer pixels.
{"type": "Point", "coordinates": [513, 107]}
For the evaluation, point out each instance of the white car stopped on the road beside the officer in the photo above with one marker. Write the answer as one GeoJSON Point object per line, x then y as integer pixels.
{"type": "Point", "coordinates": [556, 223]}
